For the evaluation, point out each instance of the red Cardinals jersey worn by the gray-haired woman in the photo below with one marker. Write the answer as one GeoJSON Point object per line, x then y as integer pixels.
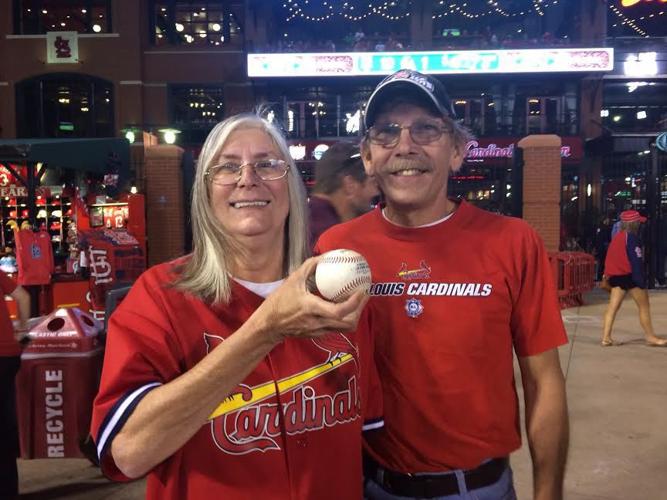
{"type": "Point", "coordinates": [291, 430]}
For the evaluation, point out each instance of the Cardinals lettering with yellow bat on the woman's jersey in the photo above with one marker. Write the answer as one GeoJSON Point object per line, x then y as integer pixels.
{"type": "Point", "coordinates": [250, 418]}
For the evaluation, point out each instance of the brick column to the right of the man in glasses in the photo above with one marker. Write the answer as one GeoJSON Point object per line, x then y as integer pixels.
{"type": "Point", "coordinates": [542, 186]}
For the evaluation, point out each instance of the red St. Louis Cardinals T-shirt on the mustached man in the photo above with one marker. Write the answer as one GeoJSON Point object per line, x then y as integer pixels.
{"type": "Point", "coordinates": [455, 298]}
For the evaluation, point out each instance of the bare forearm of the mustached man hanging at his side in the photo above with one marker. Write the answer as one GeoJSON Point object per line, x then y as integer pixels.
{"type": "Point", "coordinates": [547, 424]}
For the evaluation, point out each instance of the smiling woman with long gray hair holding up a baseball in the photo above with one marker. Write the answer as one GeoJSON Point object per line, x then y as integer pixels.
{"type": "Point", "coordinates": [224, 377]}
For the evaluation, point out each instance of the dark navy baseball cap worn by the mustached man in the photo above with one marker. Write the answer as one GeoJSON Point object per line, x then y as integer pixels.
{"type": "Point", "coordinates": [407, 81]}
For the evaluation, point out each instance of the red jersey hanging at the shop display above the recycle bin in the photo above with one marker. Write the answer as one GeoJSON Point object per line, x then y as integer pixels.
{"type": "Point", "coordinates": [34, 257]}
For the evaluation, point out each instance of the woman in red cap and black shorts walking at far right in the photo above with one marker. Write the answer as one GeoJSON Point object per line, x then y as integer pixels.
{"type": "Point", "coordinates": [624, 267]}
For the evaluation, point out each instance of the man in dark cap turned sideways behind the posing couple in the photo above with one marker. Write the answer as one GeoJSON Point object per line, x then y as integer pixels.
{"type": "Point", "coordinates": [342, 189]}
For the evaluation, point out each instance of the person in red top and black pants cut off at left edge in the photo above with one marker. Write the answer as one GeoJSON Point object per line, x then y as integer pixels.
{"type": "Point", "coordinates": [10, 361]}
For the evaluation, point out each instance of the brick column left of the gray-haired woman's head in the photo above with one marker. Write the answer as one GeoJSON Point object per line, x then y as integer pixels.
{"type": "Point", "coordinates": [165, 218]}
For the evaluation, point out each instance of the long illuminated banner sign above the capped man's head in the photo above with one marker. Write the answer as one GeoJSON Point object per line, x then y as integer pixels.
{"type": "Point", "coordinates": [435, 62]}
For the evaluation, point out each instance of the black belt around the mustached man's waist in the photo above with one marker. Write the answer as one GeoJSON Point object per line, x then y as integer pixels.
{"type": "Point", "coordinates": [434, 485]}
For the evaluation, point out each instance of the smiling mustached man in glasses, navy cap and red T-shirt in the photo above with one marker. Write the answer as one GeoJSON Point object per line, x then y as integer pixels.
{"type": "Point", "coordinates": [455, 291]}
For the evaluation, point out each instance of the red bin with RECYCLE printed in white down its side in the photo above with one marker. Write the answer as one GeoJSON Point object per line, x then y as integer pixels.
{"type": "Point", "coordinates": [57, 382]}
